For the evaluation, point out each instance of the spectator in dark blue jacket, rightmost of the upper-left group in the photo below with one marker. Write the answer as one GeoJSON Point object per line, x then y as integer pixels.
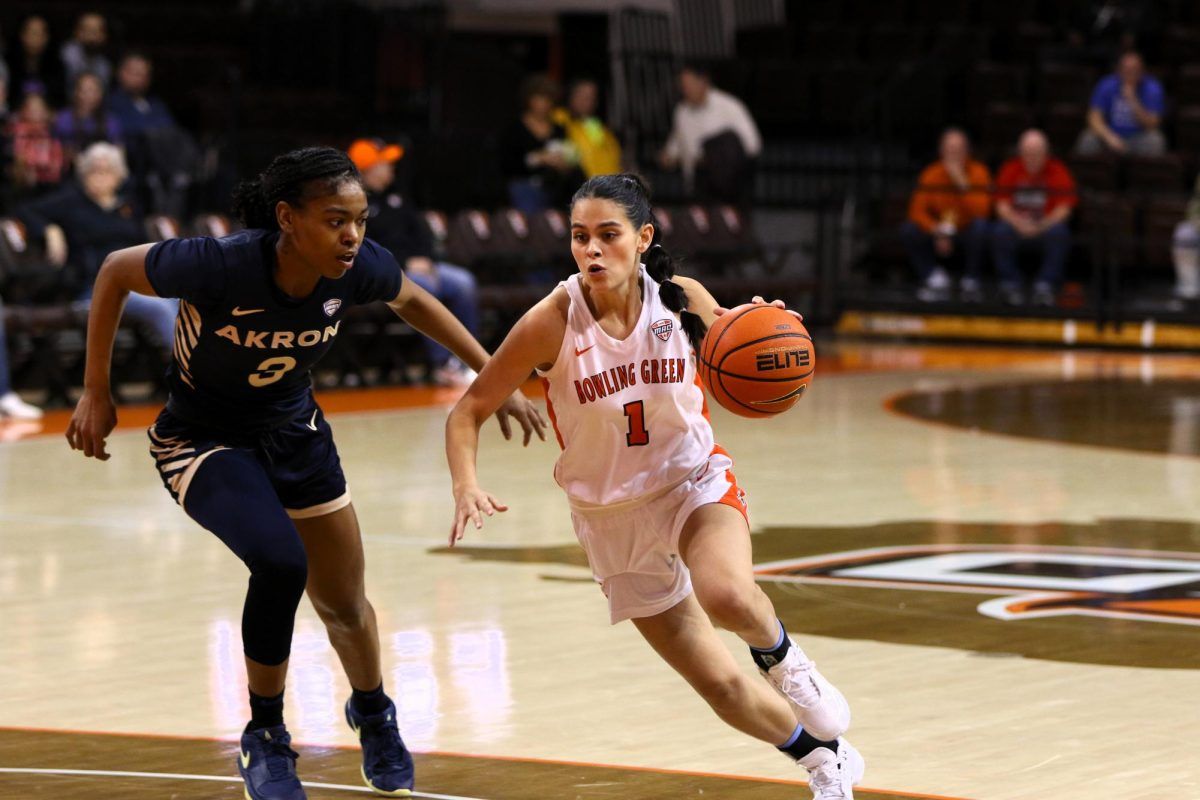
{"type": "Point", "coordinates": [163, 157]}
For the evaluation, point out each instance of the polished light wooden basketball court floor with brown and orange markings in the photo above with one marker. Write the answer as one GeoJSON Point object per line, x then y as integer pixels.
{"type": "Point", "coordinates": [994, 554]}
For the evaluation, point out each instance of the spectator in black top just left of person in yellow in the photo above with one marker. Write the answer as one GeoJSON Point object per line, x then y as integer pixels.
{"type": "Point", "coordinates": [538, 160]}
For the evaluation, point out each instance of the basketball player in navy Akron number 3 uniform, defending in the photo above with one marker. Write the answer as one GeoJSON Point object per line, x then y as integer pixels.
{"type": "Point", "coordinates": [243, 446]}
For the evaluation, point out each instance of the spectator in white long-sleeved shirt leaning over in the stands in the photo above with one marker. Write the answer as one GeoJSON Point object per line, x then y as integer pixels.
{"type": "Point", "coordinates": [713, 140]}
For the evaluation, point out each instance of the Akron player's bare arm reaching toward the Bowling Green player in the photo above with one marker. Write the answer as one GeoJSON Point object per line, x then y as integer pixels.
{"type": "Point", "coordinates": [427, 314]}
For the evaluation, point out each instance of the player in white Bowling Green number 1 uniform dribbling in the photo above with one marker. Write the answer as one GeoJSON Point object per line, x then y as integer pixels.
{"type": "Point", "coordinates": [652, 497]}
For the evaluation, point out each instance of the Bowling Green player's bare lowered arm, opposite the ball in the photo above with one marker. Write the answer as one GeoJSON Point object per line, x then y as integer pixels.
{"type": "Point", "coordinates": [533, 342]}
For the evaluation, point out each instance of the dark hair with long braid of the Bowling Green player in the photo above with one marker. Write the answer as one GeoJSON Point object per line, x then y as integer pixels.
{"type": "Point", "coordinates": [629, 191]}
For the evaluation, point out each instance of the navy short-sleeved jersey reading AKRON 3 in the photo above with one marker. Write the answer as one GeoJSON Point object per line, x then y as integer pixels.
{"type": "Point", "coordinates": [244, 350]}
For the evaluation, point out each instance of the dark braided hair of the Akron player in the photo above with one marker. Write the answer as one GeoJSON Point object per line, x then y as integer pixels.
{"type": "Point", "coordinates": [293, 178]}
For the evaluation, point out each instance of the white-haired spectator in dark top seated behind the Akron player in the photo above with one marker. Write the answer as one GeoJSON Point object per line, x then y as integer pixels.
{"type": "Point", "coordinates": [89, 219]}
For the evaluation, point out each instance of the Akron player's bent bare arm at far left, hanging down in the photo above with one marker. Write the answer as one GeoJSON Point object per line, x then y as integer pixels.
{"type": "Point", "coordinates": [95, 416]}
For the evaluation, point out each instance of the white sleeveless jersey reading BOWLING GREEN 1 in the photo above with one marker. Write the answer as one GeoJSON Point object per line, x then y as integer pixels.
{"type": "Point", "coordinates": [631, 416]}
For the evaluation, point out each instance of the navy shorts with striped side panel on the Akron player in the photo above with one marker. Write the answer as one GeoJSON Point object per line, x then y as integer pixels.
{"type": "Point", "coordinates": [299, 459]}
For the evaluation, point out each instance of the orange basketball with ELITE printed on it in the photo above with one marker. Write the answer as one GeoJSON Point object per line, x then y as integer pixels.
{"type": "Point", "coordinates": [757, 360]}
